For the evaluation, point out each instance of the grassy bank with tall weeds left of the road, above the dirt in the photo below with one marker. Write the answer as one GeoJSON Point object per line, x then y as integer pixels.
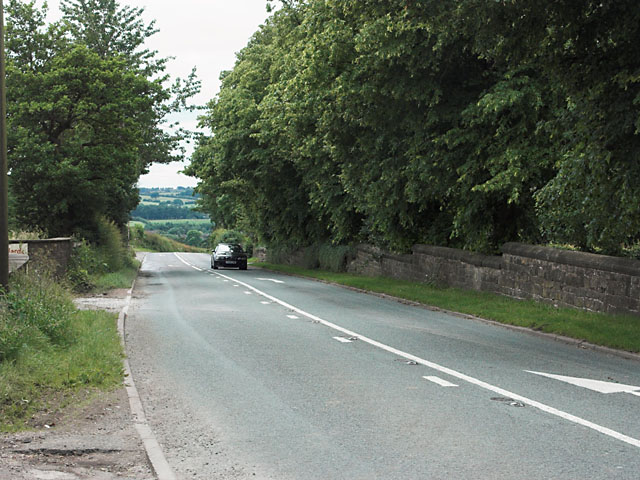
{"type": "Point", "coordinates": [50, 353]}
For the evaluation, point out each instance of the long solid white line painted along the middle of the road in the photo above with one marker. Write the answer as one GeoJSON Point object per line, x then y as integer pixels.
{"type": "Point", "coordinates": [453, 373]}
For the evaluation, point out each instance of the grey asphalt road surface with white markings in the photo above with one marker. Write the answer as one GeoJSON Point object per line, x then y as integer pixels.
{"type": "Point", "coordinates": [253, 374]}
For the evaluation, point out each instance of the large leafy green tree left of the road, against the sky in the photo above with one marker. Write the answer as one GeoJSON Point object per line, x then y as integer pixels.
{"type": "Point", "coordinates": [86, 115]}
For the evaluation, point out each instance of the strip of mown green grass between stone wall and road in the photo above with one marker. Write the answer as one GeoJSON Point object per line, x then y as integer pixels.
{"type": "Point", "coordinates": [614, 331]}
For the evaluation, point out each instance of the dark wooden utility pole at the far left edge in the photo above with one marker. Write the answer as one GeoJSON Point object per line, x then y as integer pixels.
{"type": "Point", "coordinates": [4, 181]}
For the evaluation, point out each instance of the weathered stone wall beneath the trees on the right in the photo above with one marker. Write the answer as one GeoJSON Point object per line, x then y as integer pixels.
{"type": "Point", "coordinates": [560, 277]}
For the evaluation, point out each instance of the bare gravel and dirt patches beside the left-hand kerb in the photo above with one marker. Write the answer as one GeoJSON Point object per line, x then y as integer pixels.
{"type": "Point", "coordinates": [95, 438]}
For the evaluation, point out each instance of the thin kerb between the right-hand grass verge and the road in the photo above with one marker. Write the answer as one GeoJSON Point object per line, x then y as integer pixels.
{"type": "Point", "coordinates": [529, 331]}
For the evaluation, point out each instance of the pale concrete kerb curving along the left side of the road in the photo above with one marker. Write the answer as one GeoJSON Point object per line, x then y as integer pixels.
{"type": "Point", "coordinates": [152, 448]}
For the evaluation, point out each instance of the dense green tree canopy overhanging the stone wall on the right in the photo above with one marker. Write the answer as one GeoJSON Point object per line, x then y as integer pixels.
{"type": "Point", "coordinates": [465, 124]}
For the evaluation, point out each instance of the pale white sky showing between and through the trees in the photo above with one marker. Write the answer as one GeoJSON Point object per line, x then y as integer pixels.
{"type": "Point", "coordinates": [202, 33]}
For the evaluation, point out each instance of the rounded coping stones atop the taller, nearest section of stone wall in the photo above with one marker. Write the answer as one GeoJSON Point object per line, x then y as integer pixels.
{"type": "Point", "coordinates": [625, 266]}
